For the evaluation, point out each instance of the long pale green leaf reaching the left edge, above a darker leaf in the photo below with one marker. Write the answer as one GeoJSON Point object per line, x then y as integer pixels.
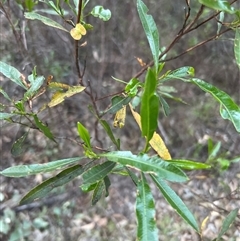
{"type": "Point", "coordinates": [33, 169]}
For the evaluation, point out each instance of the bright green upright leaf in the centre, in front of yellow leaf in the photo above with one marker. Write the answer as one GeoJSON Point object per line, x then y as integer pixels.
{"type": "Point", "coordinates": [149, 106]}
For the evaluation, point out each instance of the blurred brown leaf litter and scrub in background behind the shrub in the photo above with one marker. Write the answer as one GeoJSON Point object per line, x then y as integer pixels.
{"type": "Point", "coordinates": [111, 50]}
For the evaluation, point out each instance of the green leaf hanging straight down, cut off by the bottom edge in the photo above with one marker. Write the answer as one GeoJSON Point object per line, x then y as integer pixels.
{"type": "Point", "coordinates": [145, 211]}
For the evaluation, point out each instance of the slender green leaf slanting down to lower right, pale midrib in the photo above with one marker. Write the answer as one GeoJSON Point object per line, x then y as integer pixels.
{"type": "Point", "coordinates": [175, 201]}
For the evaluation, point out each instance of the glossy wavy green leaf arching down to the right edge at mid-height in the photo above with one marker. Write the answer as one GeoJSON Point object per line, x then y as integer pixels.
{"type": "Point", "coordinates": [229, 109]}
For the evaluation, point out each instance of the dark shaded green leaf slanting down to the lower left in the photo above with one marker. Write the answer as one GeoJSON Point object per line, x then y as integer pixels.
{"type": "Point", "coordinates": [61, 179]}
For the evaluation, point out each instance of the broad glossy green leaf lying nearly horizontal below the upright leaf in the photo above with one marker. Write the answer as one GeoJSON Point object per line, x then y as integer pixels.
{"type": "Point", "coordinates": [147, 164]}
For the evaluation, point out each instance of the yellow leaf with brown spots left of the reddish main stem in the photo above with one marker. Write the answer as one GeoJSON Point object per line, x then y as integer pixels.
{"type": "Point", "coordinates": [59, 97]}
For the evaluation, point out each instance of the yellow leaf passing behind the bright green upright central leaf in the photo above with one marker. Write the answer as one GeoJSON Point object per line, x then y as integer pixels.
{"type": "Point", "coordinates": [156, 142]}
